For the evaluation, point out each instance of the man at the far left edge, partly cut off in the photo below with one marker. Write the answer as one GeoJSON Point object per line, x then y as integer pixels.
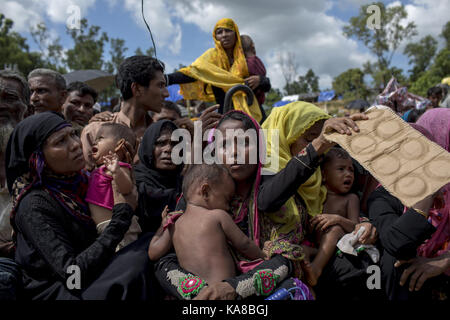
{"type": "Point", "coordinates": [14, 100]}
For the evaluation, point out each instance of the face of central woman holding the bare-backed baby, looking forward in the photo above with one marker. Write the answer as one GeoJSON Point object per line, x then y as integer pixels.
{"type": "Point", "coordinates": [239, 172]}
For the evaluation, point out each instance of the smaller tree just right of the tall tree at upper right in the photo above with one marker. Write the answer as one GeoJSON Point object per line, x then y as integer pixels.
{"type": "Point", "coordinates": [420, 55]}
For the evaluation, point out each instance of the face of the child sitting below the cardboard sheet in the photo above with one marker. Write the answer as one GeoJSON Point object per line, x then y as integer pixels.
{"type": "Point", "coordinates": [339, 175]}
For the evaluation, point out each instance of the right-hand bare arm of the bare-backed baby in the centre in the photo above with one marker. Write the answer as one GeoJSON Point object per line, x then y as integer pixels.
{"type": "Point", "coordinates": [238, 239]}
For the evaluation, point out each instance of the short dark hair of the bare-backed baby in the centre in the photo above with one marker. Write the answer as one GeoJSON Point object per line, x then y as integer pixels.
{"type": "Point", "coordinates": [197, 173]}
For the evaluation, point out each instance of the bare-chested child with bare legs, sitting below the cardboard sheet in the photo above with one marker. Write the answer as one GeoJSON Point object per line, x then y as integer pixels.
{"type": "Point", "coordinates": [341, 210]}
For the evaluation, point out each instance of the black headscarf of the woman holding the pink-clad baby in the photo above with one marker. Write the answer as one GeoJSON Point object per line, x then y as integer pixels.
{"type": "Point", "coordinates": [25, 166]}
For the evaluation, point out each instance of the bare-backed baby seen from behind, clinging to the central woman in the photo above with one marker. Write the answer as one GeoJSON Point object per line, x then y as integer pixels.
{"type": "Point", "coordinates": [201, 234]}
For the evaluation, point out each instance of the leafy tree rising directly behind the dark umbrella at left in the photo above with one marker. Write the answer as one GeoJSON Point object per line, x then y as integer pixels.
{"type": "Point", "coordinates": [87, 52]}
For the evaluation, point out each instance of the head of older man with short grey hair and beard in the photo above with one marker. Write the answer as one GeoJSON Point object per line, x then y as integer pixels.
{"type": "Point", "coordinates": [48, 90]}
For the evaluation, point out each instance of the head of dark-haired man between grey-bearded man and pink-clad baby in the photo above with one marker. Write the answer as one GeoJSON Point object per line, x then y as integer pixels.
{"type": "Point", "coordinates": [79, 105]}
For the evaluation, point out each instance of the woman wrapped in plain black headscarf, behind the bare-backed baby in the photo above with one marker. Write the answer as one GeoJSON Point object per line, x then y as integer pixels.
{"type": "Point", "coordinates": [158, 179]}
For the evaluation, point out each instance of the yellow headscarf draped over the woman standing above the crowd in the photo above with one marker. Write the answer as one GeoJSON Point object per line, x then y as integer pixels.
{"type": "Point", "coordinates": [213, 68]}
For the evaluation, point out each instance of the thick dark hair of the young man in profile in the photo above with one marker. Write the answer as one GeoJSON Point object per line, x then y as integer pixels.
{"type": "Point", "coordinates": [139, 69]}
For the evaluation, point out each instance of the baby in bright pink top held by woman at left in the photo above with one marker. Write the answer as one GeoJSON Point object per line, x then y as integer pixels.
{"type": "Point", "coordinates": [113, 150]}
